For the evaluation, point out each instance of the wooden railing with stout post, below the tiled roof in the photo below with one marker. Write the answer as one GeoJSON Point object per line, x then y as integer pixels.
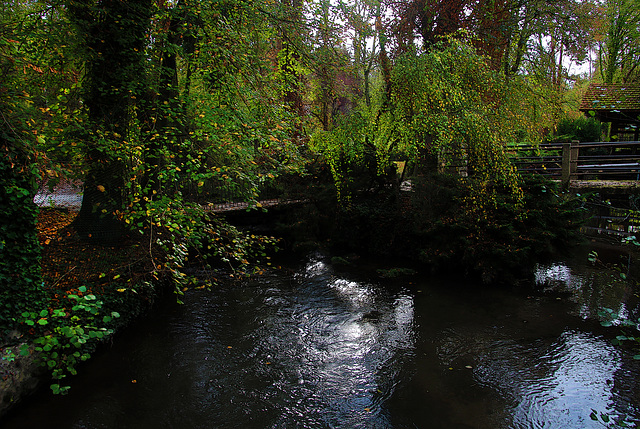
{"type": "Point", "coordinates": [579, 161]}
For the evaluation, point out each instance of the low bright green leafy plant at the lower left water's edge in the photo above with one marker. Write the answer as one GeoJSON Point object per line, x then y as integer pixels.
{"type": "Point", "coordinates": [69, 335]}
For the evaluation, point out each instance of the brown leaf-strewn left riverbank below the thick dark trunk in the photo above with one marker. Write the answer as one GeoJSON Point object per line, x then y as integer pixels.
{"type": "Point", "coordinates": [116, 276]}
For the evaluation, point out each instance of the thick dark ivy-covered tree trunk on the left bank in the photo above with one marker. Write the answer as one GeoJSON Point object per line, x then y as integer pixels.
{"type": "Point", "coordinates": [114, 33]}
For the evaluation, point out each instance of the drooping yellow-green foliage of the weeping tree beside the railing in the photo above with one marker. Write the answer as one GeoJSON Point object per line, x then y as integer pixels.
{"type": "Point", "coordinates": [448, 111]}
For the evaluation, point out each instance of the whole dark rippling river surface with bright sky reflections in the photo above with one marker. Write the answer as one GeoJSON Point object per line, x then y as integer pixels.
{"type": "Point", "coordinates": [315, 347]}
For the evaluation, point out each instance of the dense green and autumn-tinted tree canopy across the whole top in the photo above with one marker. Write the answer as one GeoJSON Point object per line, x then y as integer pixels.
{"type": "Point", "coordinates": [159, 105]}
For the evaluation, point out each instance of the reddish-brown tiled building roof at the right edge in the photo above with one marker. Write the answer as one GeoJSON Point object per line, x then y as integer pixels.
{"type": "Point", "coordinates": [612, 99]}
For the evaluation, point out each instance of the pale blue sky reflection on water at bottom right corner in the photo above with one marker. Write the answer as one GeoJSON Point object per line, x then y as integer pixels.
{"type": "Point", "coordinates": [560, 388]}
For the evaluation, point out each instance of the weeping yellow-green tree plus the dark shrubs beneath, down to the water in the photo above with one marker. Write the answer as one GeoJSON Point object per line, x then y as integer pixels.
{"type": "Point", "coordinates": [451, 116]}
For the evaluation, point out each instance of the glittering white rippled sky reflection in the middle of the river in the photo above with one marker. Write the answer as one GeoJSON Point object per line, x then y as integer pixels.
{"type": "Point", "coordinates": [340, 343]}
